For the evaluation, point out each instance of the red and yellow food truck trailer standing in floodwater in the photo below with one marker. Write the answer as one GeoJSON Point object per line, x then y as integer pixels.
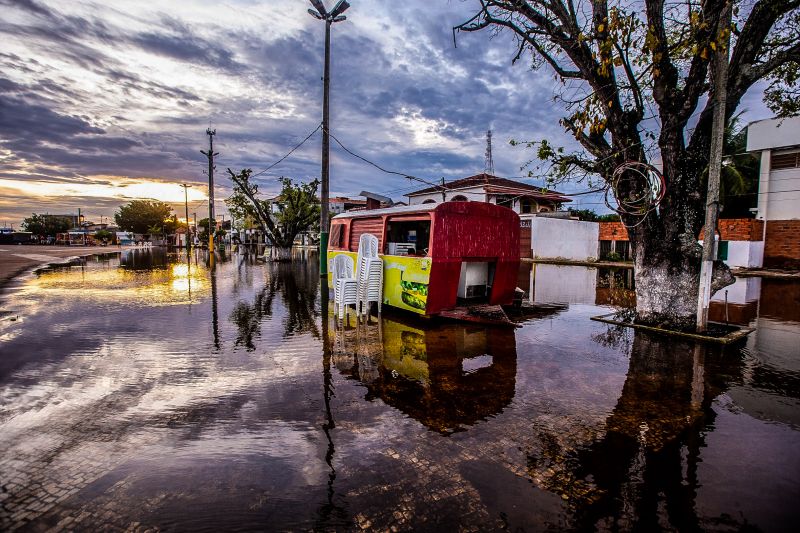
{"type": "Point", "coordinates": [437, 257]}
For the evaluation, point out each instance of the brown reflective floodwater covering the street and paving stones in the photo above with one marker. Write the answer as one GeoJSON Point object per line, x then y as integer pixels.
{"type": "Point", "coordinates": [154, 392]}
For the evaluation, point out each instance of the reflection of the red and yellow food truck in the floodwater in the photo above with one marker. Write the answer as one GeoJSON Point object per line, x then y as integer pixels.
{"type": "Point", "coordinates": [447, 377]}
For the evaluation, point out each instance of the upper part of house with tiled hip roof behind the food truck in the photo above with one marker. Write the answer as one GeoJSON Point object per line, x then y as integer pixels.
{"type": "Point", "coordinates": [520, 197]}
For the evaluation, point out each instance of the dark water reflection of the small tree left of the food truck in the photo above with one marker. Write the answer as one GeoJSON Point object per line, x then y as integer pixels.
{"type": "Point", "coordinates": [297, 285]}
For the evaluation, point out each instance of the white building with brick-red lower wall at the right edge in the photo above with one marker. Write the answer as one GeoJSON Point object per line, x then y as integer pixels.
{"type": "Point", "coordinates": [778, 143]}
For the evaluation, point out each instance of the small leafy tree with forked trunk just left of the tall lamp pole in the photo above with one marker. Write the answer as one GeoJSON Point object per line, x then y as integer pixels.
{"type": "Point", "coordinates": [295, 211]}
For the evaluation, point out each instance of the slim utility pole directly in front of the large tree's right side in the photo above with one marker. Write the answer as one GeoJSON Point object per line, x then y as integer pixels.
{"type": "Point", "coordinates": [715, 167]}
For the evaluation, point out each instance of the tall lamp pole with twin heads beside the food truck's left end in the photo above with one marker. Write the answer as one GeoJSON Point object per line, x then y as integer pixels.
{"type": "Point", "coordinates": [334, 16]}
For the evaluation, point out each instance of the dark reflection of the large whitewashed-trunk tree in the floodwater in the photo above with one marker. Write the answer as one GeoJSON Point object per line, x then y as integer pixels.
{"type": "Point", "coordinates": [642, 473]}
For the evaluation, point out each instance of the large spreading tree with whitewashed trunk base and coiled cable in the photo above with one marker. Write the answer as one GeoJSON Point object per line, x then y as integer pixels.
{"type": "Point", "coordinates": [635, 76]}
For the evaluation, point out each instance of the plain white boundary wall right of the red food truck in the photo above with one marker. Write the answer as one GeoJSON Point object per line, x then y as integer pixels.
{"type": "Point", "coordinates": [561, 238]}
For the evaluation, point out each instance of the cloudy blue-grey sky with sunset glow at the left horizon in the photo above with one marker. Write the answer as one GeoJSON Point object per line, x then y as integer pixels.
{"type": "Point", "coordinates": [102, 102]}
